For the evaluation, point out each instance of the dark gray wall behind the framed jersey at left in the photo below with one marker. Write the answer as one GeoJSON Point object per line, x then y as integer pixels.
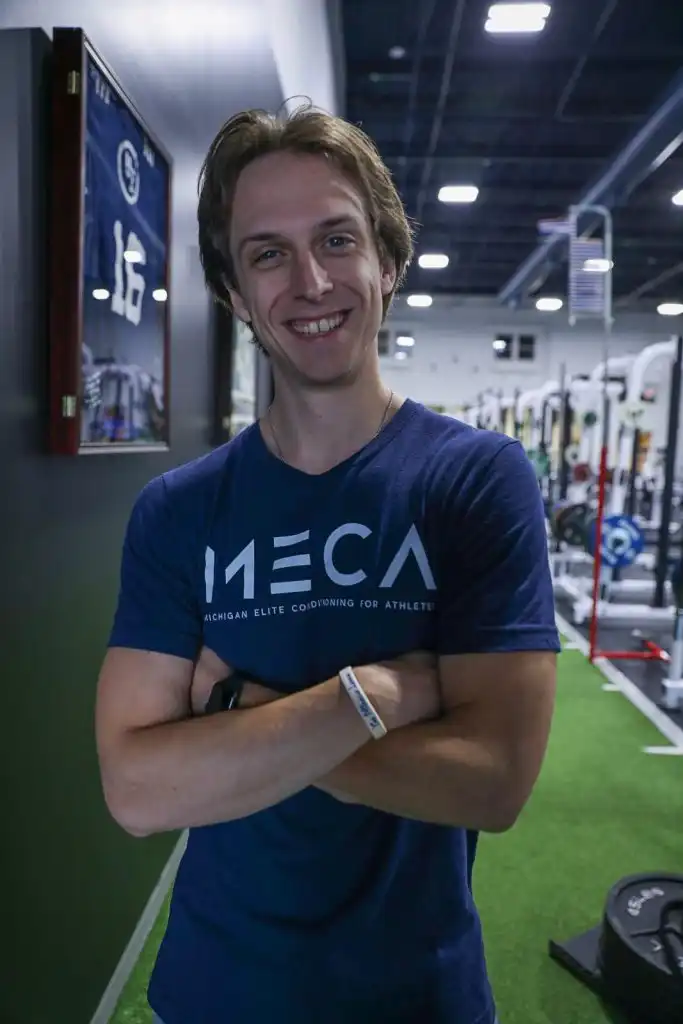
{"type": "Point", "coordinates": [73, 884]}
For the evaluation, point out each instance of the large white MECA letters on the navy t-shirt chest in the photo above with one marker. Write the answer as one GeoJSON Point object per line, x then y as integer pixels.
{"type": "Point", "coordinates": [245, 563]}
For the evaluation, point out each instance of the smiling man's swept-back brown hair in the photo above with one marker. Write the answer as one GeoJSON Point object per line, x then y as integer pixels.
{"type": "Point", "coordinates": [257, 133]}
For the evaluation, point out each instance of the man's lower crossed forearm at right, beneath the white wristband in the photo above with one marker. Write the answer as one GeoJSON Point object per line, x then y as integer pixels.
{"type": "Point", "coordinates": [431, 774]}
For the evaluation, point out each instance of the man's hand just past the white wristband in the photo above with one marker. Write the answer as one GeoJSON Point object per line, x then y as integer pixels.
{"type": "Point", "coordinates": [405, 691]}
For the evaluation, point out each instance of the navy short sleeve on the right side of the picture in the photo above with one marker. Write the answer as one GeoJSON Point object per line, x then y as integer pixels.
{"type": "Point", "coordinates": [496, 591]}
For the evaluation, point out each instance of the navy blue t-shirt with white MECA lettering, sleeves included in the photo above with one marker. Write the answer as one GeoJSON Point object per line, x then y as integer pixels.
{"type": "Point", "coordinates": [433, 537]}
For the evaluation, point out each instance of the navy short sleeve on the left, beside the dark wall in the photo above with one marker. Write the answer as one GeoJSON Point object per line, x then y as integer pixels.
{"type": "Point", "coordinates": [157, 609]}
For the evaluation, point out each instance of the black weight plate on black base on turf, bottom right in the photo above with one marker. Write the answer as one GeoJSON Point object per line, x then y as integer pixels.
{"type": "Point", "coordinates": [634, 960]}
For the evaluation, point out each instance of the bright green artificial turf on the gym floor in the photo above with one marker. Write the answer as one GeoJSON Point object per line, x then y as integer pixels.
{"type": "Point", "coordinates": [603, 809]}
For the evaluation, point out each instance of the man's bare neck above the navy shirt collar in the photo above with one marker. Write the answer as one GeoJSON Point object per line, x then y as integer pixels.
{"type": "Point", "coordinates": [314, 433]}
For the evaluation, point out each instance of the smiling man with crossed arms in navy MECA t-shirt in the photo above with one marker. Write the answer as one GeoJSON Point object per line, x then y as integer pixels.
{"type": "Point", "coordinates": [378, 576]}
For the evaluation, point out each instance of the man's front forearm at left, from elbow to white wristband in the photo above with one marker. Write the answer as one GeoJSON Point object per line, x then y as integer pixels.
{"type": "Point", "coordinates": [218, 769]}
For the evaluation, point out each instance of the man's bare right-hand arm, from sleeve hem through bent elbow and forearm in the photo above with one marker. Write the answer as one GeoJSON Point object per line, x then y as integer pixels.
{"type": "Point", "coordinates": [478, 764]}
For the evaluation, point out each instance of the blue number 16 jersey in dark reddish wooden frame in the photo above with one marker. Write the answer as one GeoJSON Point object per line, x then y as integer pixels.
{"type": "Point", "coordinates": [110, 263]}
